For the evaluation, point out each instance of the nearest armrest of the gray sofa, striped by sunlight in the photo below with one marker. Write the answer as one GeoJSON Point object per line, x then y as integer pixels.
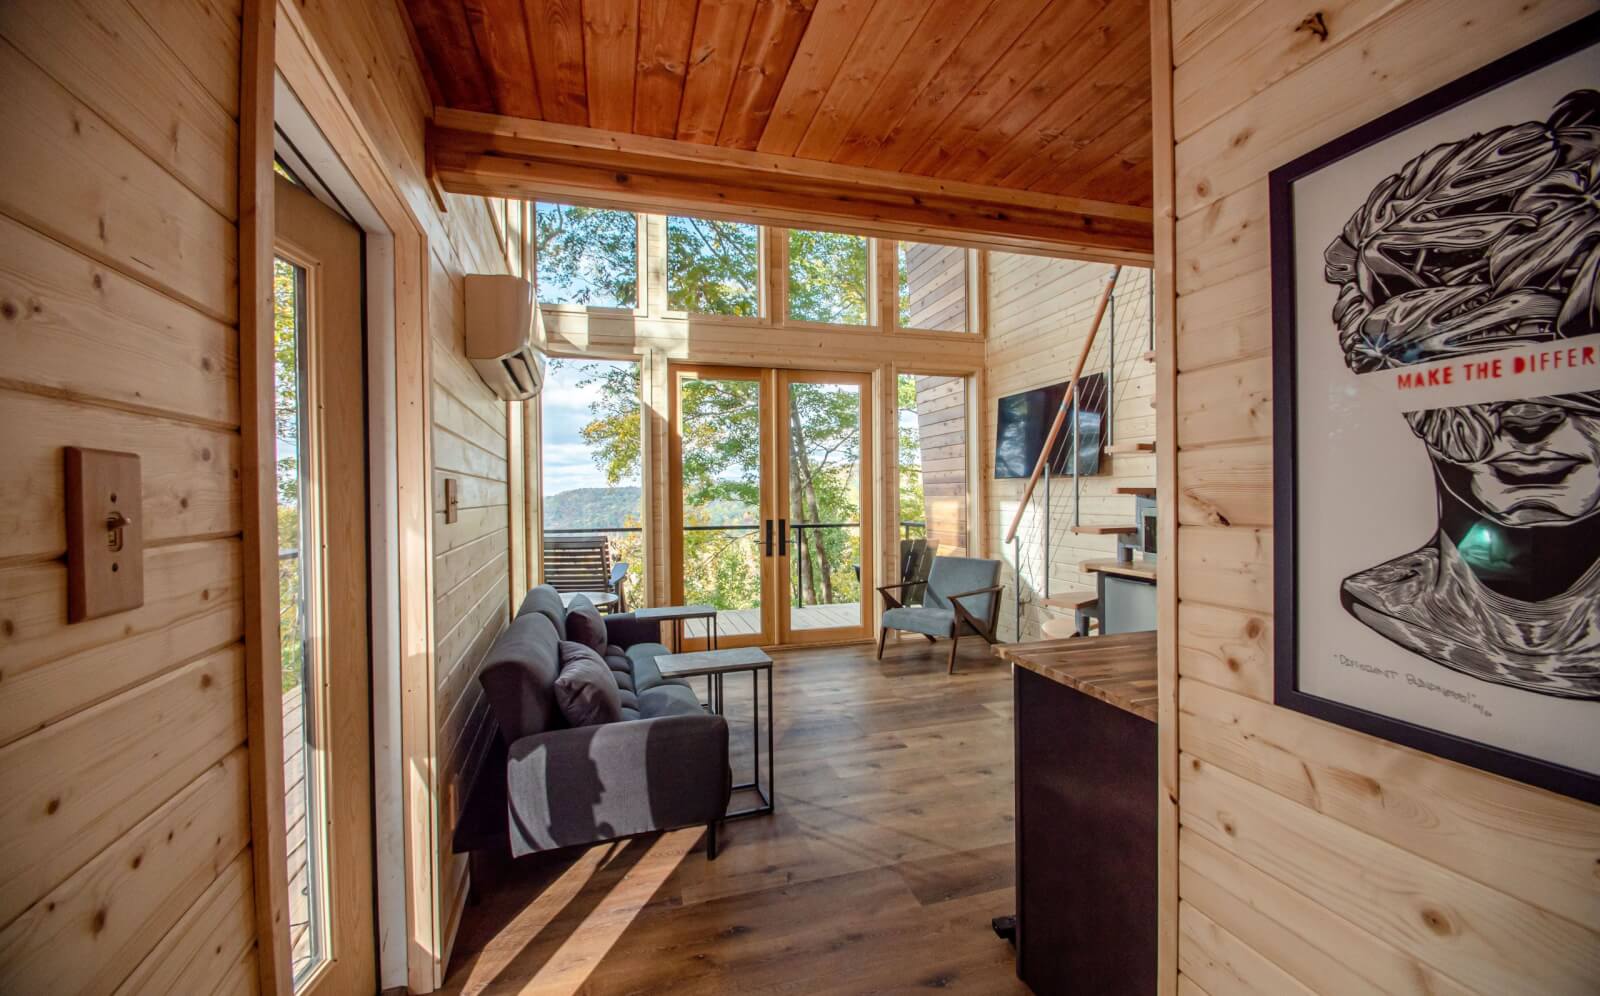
{"type": "Point", "coordinates": [598, 784]}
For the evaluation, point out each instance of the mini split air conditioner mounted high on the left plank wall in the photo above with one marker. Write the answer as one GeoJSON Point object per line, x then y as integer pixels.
{"type": "Point", "coordinates": [503, 326]}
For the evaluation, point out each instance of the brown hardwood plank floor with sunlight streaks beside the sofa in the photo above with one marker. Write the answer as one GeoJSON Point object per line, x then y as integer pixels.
{"type": "Point", "coordinates": [881, 870]}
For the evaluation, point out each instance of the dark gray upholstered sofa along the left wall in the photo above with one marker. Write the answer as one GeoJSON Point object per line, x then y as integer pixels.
{"type": "Point", "coordinates": [665, 766]}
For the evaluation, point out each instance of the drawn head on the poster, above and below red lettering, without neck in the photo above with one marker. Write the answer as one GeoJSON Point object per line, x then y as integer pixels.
{"type": "Point", "coordinates": [1478, 246]}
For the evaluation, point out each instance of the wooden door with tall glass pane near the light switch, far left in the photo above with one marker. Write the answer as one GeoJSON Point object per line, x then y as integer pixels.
{"type": "Point", "coordinates": [322, 593]}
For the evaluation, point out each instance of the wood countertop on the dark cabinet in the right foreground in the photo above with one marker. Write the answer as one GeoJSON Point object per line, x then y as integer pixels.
{"type": "Point", "coordinates": [1118, 670]}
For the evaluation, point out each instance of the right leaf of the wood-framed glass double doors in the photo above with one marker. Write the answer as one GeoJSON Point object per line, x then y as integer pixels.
{"type": "Point", "coordinates": [823, 451]}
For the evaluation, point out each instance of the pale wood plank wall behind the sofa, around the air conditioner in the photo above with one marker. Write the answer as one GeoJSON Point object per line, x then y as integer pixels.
{"type": "Point", "coordinates": [370, 52]}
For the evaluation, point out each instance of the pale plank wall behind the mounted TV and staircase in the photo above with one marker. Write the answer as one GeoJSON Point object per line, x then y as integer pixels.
{"type": "Point", "coordinates": [1039, 316]}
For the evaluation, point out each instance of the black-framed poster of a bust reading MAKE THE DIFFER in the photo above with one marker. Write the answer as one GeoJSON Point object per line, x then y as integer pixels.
{"type": "Point", "coordinates": [1436, 308]}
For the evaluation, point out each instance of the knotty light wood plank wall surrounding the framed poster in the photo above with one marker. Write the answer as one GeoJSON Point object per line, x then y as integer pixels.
{"type": "Point", "coordinates": [1313, 857]}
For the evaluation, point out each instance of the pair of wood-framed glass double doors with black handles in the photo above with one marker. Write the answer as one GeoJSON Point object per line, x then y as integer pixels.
{"type": "Point", "coordinates": [770, 521]}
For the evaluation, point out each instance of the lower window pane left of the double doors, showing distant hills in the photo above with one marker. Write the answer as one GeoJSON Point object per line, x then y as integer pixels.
{"type": "Point", "coordinates": [591, 459]}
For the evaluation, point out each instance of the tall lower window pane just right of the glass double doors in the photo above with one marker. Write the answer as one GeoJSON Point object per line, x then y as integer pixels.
{"type": "Point", "coordinates": [932, 472]}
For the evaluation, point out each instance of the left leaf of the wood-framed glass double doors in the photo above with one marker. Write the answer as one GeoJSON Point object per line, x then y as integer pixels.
{"type": "Point", "coordinates": [721, 521]}
